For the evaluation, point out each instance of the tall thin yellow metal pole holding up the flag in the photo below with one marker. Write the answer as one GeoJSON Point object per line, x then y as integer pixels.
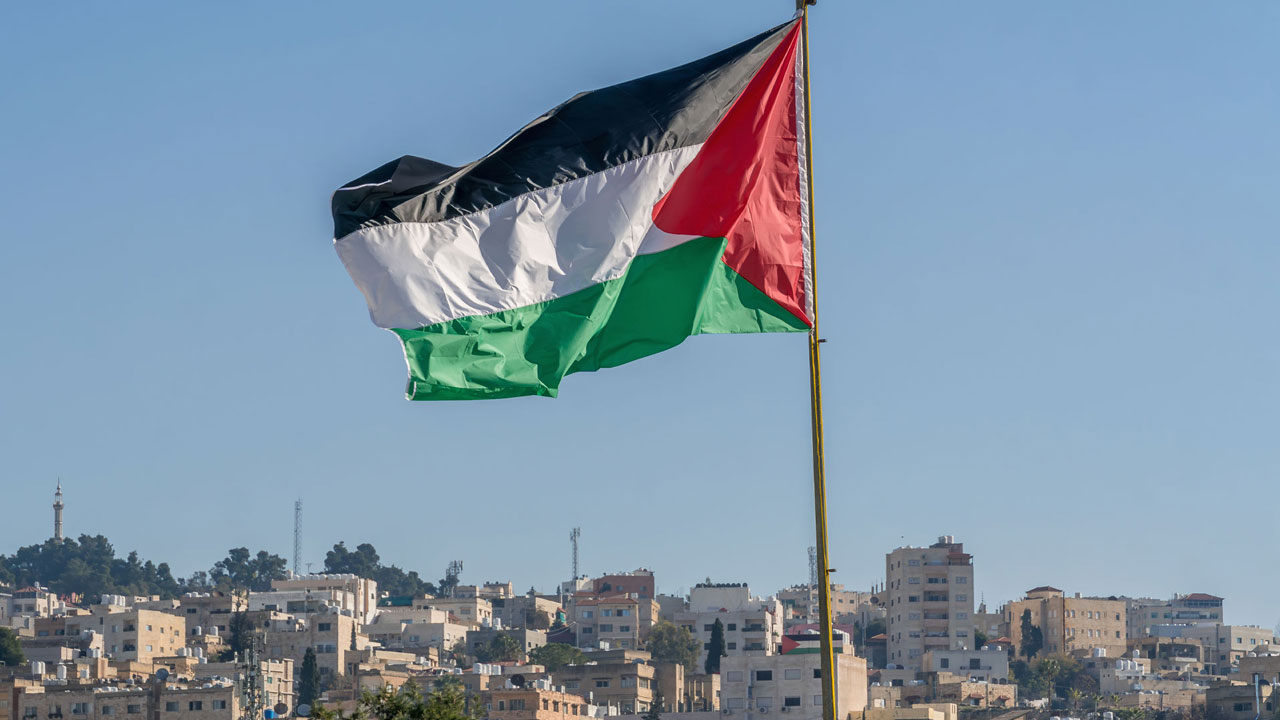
{"type": "Point", "coordinates": [820, 473]}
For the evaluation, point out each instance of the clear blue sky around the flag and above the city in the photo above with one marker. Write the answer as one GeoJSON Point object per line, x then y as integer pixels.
{"type": "Point", "coordinates": [1049, 272]}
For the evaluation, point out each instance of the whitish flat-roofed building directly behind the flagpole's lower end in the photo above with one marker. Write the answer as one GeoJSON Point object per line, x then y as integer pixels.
{"type": "Point", "coordinates": [755, 685]}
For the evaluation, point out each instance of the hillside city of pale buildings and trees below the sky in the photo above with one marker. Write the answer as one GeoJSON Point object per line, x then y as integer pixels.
{"type": "Point", "coordinates": [86, 634]}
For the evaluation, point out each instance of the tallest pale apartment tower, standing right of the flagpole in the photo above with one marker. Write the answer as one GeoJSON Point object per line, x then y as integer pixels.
{"type": "Point", "coordinates": [930, 607]}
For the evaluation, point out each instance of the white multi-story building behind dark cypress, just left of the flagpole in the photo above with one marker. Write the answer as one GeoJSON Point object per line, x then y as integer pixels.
{"type": "Point", "coordinates": [753, 626]}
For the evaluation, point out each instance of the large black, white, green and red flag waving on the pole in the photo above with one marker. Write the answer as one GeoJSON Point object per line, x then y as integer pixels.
{"type": "Point", "coordinates": [609, 230]}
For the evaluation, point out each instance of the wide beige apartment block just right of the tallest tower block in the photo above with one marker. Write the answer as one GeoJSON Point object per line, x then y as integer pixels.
{"type": "Point", "coordinates": [1069, 623]}
